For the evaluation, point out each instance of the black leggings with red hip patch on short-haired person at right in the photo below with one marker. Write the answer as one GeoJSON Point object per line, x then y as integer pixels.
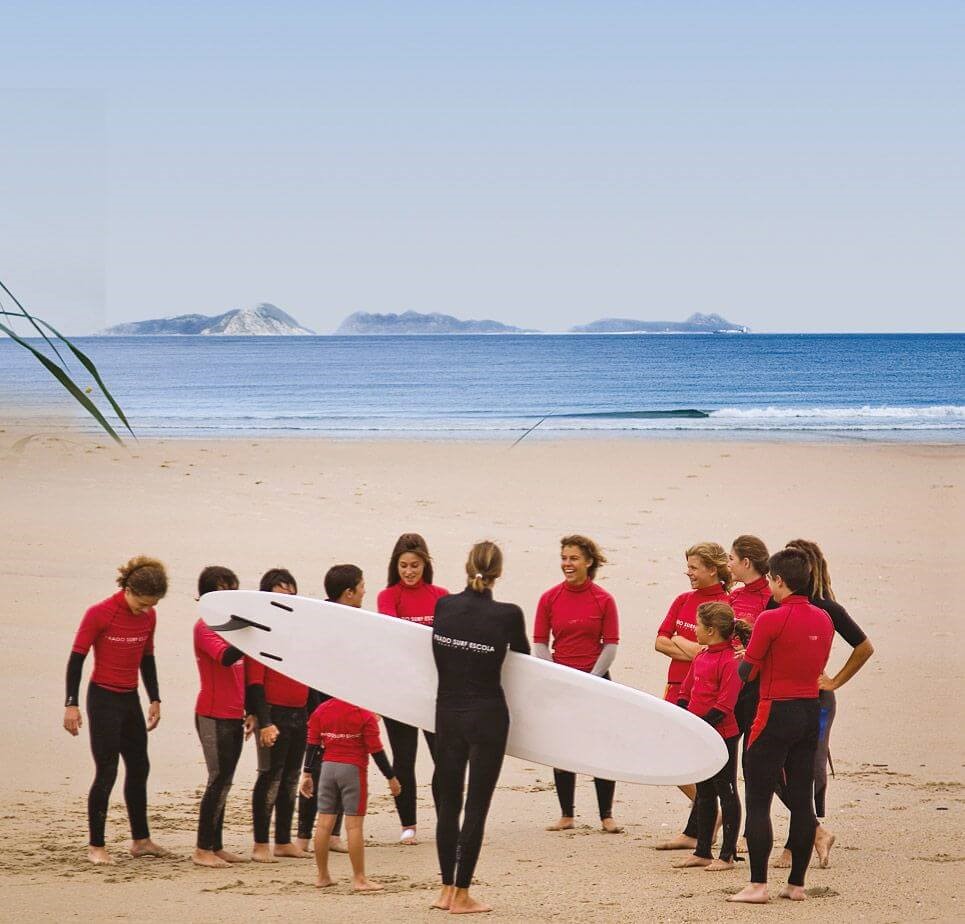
{"type": "Point", "coordinates": [784, 736]}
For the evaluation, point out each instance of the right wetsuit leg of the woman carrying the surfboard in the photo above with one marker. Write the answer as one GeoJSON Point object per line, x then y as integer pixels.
{"type": "Point", "coordinates": [486, 732]}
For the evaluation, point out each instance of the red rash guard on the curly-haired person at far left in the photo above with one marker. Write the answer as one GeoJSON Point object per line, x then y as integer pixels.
{"type": "Point", "coordinates": [120, 640]}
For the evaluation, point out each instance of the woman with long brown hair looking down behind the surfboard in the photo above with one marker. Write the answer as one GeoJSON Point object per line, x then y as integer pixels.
{"type": "Point", "coordinates": [409, 594]}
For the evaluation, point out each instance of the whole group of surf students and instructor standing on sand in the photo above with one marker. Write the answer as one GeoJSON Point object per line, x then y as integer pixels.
{"type": "Point", "coordinates": [749, 659]}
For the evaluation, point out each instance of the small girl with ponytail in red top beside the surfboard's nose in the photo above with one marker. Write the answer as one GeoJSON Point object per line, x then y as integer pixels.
{"type": "Point", "coordinates": [710, 691]}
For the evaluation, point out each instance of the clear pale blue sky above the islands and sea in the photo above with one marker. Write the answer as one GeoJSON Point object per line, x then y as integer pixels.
{"type": "Point", "coordinates": [792, 166]}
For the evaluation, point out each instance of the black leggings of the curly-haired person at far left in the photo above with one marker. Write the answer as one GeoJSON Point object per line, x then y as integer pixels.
{"type": "Point", "coordinates": [117, 729]}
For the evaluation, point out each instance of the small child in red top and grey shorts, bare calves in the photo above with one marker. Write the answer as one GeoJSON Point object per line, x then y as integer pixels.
{"type": "Point", "coordinates": [342, 736]}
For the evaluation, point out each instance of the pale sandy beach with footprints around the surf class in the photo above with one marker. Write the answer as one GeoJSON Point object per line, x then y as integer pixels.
{"type": "Point", "coordinates": [889, 518]}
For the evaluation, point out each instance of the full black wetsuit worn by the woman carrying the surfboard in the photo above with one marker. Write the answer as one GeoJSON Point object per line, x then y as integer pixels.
{"type": "Point", "coordinates": [470, 636]}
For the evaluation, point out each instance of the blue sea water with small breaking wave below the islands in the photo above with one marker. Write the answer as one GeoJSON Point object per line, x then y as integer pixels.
{"type": "Point", "coordinates": [898, 386]}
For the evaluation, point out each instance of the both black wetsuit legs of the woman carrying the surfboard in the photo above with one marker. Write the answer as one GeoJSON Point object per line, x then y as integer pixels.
{"type": "Point", "coordinates": [478, 738]}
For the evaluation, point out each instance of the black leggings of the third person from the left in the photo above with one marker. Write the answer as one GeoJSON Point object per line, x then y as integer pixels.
{"type": "Point", "coordinates": [278, 769]}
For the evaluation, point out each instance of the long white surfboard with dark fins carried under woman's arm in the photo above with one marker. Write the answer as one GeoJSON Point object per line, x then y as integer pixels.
{"type": "Point", "coordinates": [559, 717]}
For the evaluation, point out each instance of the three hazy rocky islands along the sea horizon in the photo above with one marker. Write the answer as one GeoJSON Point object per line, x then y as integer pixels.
{"type": "Point", "coordinates": [268, 320]}
